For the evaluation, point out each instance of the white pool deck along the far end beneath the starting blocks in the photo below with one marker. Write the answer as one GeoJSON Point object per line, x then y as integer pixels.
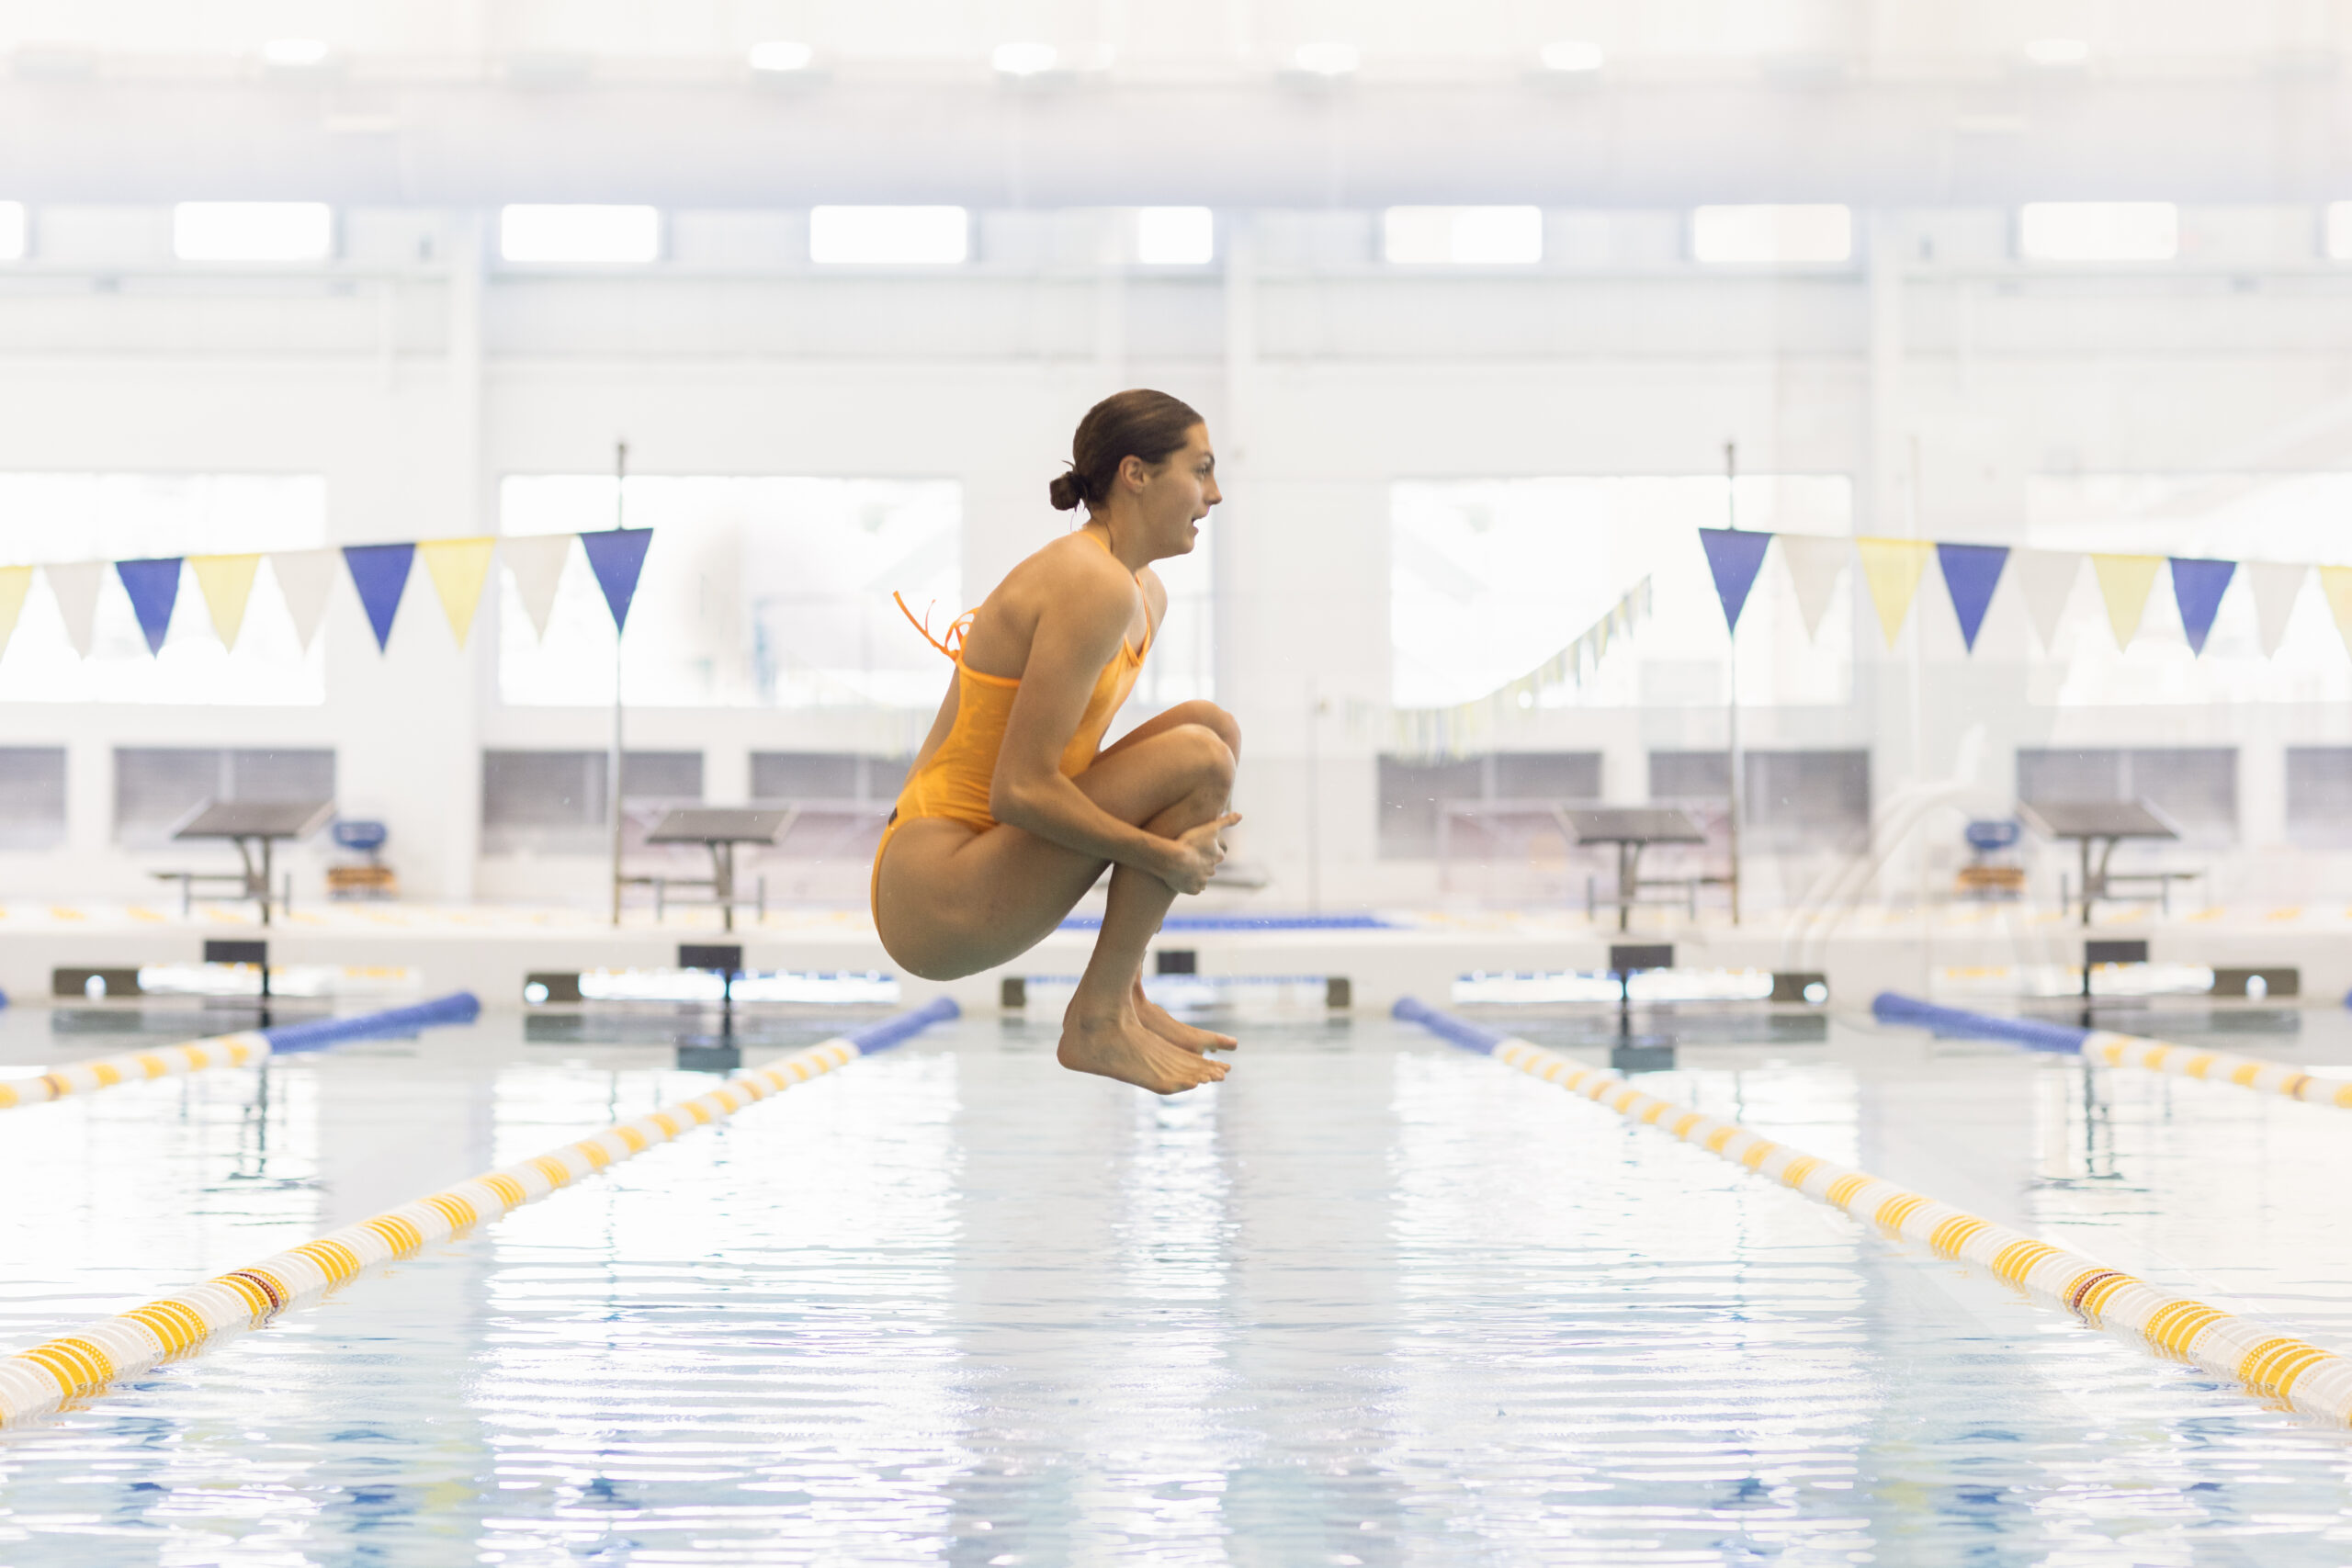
{"type": "Point", "coordinates": [493, 949]}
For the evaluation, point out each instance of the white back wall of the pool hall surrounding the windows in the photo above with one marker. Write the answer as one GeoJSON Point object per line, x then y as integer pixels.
{"type": "Point", "coordinates": [413, 382]}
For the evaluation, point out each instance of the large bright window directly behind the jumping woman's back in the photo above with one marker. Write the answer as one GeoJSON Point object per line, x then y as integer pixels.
{"type": "Point", "coordinates": [759, 594]}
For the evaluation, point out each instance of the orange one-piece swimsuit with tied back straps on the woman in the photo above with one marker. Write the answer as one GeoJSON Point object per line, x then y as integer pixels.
{"type": "Point", "coordinates": [956, 779]}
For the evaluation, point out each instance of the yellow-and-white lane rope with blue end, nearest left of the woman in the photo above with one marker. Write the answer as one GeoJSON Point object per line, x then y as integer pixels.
{"type": "Point", "coordinates": [46, 1376]}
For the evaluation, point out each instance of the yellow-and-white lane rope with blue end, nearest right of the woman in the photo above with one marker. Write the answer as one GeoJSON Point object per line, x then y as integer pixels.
{"type": "Point", "coordinates": [2294, 1372]}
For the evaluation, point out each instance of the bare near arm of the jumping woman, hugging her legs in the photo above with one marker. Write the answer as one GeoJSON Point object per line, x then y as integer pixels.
{"type": "Point", "coordinates": [1078, 631]}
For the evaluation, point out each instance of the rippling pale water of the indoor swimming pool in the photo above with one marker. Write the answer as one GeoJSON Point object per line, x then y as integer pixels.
{"type": "Point", "coordinates": [1370, 1301]}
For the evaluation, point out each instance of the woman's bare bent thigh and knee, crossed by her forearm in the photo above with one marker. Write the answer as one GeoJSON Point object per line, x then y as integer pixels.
{"type": "Point", "coordinates": [951, 902]}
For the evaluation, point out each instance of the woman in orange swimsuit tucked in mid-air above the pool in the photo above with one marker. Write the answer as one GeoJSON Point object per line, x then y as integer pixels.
{"type": "Point", "coordinates": [1015, 805]}
